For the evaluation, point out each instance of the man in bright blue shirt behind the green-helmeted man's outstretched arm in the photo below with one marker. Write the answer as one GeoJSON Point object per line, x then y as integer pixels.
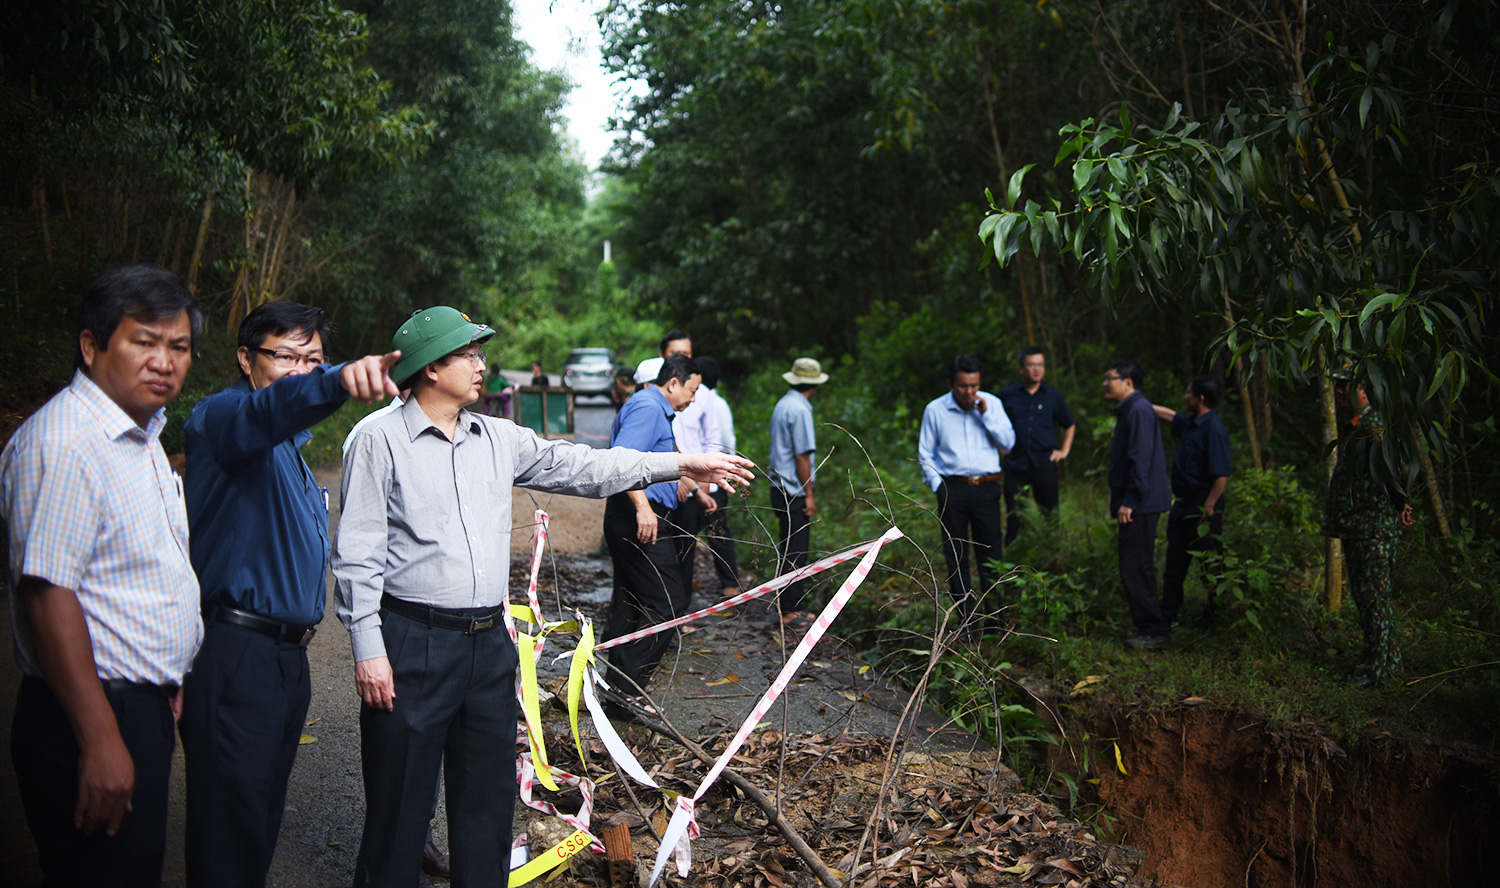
{"type": "Point", "coordinates": [641, 539]}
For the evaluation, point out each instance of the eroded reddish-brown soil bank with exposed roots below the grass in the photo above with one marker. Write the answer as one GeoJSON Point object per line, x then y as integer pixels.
{"type": "Point", "coordinates": [1220, 799]}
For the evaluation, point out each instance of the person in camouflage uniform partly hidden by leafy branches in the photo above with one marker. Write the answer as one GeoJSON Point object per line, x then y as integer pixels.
{"type": "Point", "coordinates": [1367, 517]}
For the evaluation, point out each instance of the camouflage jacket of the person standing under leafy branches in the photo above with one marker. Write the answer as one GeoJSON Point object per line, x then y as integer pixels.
{"type": "Point", "coordinates": [1358, 506]}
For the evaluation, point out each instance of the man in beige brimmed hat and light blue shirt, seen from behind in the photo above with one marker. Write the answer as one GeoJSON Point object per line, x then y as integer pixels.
{"type": "Point", "coordinates": [793, 473]}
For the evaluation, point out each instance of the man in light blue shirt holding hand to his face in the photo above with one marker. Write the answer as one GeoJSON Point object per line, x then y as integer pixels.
{"type": "Point", "coordinates": [959, 449]}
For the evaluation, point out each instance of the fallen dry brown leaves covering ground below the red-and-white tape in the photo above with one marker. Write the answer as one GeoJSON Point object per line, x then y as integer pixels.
{"type": "Point", "coordinates": [950, 821]}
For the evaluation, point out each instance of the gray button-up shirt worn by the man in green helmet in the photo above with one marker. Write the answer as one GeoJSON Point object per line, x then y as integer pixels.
{"type": "Point", "coordinates": [428, 521]}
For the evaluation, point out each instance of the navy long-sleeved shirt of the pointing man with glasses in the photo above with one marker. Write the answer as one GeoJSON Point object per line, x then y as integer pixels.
{"type": "Point", "coordinates": [259, 520]}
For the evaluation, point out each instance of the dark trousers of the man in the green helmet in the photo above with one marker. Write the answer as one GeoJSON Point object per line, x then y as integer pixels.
{"type": "Point", "coordinates": [457, 710]}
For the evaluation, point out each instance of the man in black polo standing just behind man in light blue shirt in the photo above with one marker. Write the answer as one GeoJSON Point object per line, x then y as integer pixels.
{"type": "Point", "coordinates": [1037, 410]}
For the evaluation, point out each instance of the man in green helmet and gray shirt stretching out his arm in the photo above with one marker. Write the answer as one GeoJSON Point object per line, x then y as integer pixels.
{"type": "Point", "coordinates": [422, 565]}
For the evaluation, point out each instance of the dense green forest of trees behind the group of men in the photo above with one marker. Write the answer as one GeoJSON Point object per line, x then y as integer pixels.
{"type": "Point", "coordinates": [1250, 188]}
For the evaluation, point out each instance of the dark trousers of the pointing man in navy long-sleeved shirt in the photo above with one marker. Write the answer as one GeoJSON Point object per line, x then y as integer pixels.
{"type": "Point", "coordinates": [244, 710]}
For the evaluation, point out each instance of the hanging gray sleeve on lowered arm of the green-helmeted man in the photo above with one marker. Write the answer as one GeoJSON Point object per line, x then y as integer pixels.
{"type": "Point", "coordinates": [361, 554]}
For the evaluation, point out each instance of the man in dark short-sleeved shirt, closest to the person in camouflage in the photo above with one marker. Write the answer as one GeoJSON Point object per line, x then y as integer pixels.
{"type": "Point", "coordinates": [1199, 475]}
